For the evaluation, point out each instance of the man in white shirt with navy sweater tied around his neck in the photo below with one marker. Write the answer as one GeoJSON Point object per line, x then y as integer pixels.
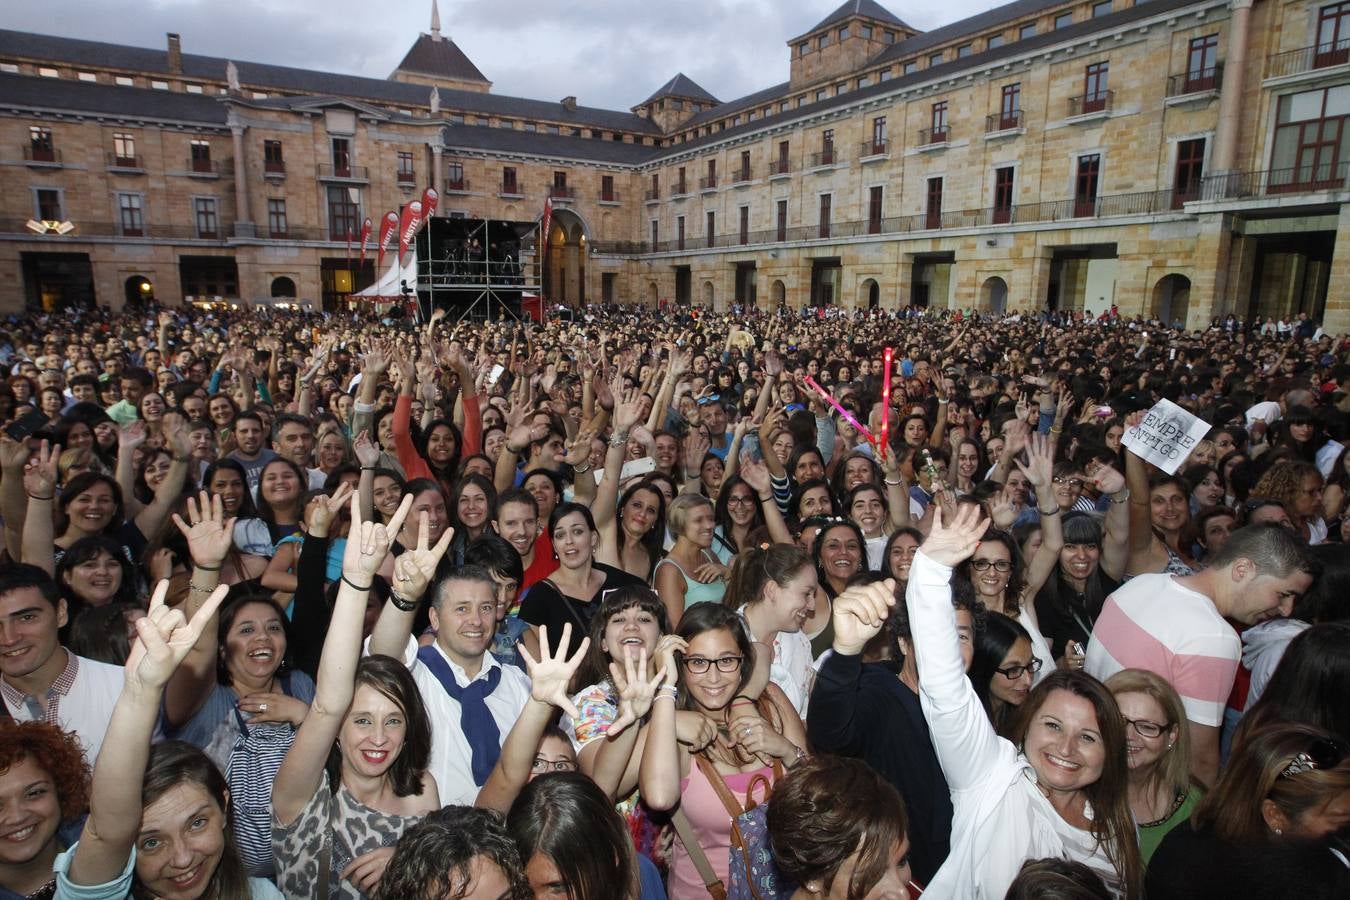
{"type": "Point", "coordinates": [472, 700]}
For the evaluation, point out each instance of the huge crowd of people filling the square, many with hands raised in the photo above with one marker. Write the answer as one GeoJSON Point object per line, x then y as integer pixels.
{"type": "Point", "coordinates": [670, 604]}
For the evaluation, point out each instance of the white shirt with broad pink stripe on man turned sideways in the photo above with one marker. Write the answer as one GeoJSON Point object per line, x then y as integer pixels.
{"type": "Point", "coordinates": [1155, 624]}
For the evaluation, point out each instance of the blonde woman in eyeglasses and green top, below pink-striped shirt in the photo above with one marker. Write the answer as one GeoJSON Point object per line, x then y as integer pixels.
{"type": "Point", "coordinates": [1158, 744]}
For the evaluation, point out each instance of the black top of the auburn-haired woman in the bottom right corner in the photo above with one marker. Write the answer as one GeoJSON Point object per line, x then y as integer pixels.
{"type": "Point", "coordinates": [1197, 866]}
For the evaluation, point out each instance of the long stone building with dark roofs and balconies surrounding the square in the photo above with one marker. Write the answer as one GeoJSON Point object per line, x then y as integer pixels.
{"type": "Point", "coordinates": [1181, 159]}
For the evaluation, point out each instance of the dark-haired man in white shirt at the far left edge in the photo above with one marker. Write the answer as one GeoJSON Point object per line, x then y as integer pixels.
{"type": "Point", "coordinates": [43, 681]}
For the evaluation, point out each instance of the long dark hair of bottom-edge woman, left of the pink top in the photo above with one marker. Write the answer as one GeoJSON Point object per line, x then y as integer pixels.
{"type": "Point", "coordinates": [569, 820]}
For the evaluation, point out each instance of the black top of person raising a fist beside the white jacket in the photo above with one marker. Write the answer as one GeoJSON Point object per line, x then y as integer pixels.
{"type": "Point", "coordinates": [867, 713]}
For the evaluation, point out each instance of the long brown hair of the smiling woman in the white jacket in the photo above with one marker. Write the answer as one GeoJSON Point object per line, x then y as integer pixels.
{"type": "Point", "coordinates": [1113, 824]}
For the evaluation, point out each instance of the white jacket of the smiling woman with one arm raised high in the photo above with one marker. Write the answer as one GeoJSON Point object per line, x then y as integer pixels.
{"type": "Point", "coordinates": [1001, 817]}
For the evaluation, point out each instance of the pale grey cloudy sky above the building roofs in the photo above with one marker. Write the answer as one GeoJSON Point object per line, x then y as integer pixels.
{"type": "Point", "coordinates": [608, 53]}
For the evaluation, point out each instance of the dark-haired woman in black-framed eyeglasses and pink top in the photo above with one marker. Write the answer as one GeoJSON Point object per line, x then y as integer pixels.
{"type": "Point", "coordinates": [707, 673]}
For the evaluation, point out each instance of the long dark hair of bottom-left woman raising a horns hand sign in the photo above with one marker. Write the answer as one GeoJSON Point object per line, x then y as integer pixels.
{"type": "Point", "coordinates": [172, 764]}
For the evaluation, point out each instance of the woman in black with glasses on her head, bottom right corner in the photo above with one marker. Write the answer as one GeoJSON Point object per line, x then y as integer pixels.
{"type": "Point", "coordinates": [1270, 828]}
